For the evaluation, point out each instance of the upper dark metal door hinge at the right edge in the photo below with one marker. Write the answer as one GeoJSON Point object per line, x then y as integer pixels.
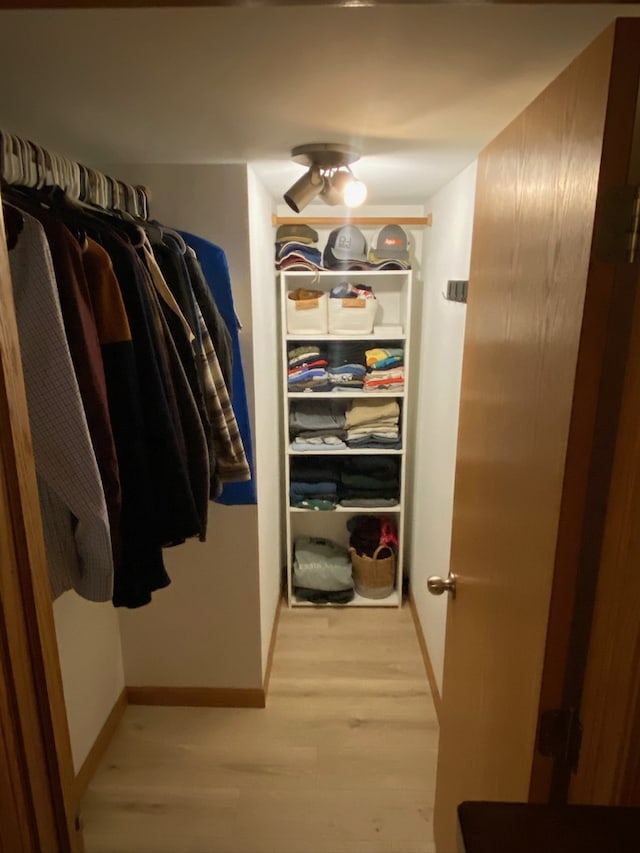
{"type": "Point", "coordinates": [616, 233]}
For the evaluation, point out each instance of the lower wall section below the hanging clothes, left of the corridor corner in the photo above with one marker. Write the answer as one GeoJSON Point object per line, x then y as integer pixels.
{"type": "Point", "coordinates": [204, 629]}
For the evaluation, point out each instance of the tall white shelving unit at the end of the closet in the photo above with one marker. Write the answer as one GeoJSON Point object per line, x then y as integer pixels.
{"type": "Point", "coordinates": [392, 290]}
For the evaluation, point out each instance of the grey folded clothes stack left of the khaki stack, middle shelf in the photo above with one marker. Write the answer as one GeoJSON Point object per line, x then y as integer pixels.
{"type": "Point", "coordinates": [317, 425]}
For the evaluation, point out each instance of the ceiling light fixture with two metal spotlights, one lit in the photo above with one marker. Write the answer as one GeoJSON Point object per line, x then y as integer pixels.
{"type": "Point", "coordinates": [328, 176]}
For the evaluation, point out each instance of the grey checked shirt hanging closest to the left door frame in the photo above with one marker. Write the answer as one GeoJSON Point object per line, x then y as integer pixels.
{"type": "Point", "coordinates": [74, 511]}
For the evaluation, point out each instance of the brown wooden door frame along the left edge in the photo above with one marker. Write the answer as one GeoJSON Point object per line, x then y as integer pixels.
{"type": "Point", "coordinates": [35, 746]}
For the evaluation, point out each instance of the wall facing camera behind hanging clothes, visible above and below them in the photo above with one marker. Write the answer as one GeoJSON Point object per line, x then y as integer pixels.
{"type": "Point", "coordinates": [204, 629]}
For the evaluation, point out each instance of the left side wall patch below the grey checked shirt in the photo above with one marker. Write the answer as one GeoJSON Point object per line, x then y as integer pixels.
{"type": "Point", "coordinates": [91, 663]}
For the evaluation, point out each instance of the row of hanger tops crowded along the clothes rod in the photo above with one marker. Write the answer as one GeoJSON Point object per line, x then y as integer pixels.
{"type": "Point", "coordinates": [23, 163]}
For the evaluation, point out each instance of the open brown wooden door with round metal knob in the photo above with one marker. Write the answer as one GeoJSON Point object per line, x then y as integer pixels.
{"type": "Point", "coordinates": [546, 333]}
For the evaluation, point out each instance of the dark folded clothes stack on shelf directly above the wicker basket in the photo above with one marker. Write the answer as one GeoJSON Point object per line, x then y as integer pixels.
{"type": "Point", "coordinates": [370, 481]}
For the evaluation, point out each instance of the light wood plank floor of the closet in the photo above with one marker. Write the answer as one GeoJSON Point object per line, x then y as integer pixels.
{"type": "Point", "coordinates": [342, 760]}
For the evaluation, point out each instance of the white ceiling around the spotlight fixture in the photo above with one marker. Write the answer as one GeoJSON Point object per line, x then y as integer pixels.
{"type": "Point", "coordinates": [419, 89]}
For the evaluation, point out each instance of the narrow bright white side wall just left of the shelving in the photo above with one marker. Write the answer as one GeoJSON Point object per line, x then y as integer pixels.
{"type": "Point", "coordinates": [268, 437]}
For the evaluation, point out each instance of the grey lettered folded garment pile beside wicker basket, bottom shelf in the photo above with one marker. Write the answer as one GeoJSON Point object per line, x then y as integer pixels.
{"type": "Point", "coordinates": [322, 571]}
